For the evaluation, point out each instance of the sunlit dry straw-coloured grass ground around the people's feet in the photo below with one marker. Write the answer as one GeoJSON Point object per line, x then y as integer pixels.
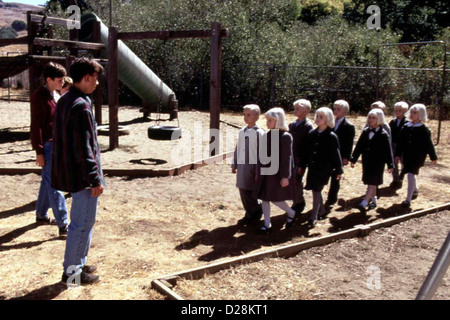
{"type": "Point", "coordinates": [150, 227]}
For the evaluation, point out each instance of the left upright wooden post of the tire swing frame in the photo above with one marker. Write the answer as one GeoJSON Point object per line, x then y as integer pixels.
{"type": "Point", "coordinates": [113, 88]}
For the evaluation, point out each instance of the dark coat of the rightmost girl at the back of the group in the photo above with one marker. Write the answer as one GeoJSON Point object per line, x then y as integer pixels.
{"type": "Point", "coordinates": [414, 145]}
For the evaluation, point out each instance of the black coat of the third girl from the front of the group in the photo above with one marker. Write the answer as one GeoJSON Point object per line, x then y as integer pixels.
{"type": "Point", "coordinates": [376, 153]}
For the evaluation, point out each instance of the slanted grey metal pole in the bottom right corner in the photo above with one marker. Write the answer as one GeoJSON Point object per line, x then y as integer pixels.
{"type": "Point", "coordinates": [436, 273]}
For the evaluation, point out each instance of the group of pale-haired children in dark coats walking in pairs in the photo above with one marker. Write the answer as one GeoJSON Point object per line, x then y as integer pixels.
{"type": "Point", "coordinates": [327, 148]}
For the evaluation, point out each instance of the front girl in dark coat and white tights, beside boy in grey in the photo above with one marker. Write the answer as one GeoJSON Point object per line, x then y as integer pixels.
{"type": "Point", "coordinates": [275, 179]}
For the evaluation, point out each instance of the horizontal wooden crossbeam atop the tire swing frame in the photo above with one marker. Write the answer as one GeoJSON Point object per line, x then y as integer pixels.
{"type": "Point", "coordinates": [167, 35]}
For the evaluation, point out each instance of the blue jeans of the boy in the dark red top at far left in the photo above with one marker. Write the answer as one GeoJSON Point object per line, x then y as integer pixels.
{"type": "Point", "coordinates": [49, 197]}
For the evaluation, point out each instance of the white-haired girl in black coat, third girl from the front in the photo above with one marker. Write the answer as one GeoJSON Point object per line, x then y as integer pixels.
{"type": "Point", "coordinates": [373, 144]}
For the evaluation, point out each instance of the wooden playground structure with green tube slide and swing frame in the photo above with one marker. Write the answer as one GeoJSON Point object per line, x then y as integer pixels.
{"type": "Point", "coordinates": [122, 64]}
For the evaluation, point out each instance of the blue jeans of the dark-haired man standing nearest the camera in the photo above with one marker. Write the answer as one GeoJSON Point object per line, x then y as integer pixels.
{"type": "Point", "coordinates": [82, 220]}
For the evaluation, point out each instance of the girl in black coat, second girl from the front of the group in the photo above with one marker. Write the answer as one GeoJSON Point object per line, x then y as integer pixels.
{"type": "Point", "coordinates": [323, 159]}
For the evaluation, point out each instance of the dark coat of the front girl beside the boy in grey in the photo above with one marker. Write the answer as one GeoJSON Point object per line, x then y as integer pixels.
{"type": "Point", "coordinates": [268, 186]}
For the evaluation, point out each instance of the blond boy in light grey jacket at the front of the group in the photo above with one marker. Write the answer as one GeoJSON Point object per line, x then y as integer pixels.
{"type": "Point", "coordinates": [245, 162]}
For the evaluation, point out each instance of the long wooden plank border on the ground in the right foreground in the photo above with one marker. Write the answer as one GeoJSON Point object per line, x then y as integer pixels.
{"type": "Point", "coordinates": [165, 284]}
